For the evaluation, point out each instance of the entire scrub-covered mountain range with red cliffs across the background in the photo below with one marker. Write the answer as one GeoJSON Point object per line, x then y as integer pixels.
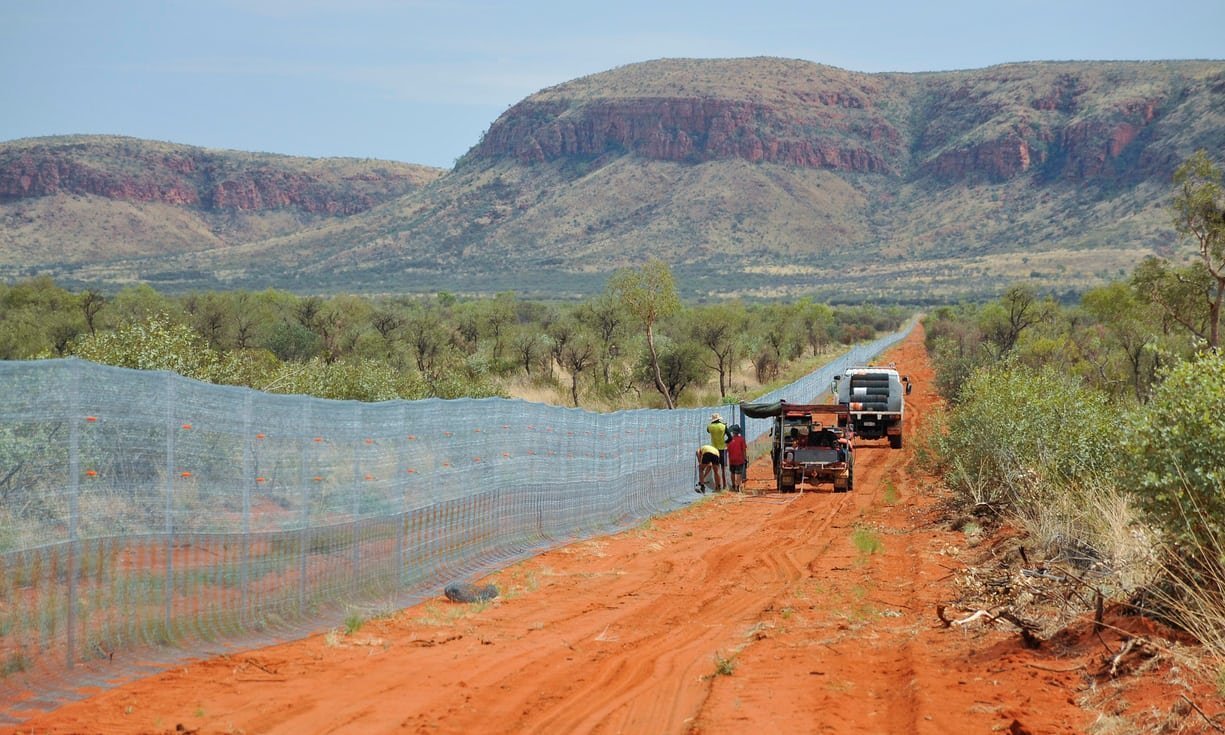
{"type": "Point", "coordinates": [749, 177]}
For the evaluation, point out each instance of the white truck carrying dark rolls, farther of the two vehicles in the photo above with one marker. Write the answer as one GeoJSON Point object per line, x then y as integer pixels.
{"type": "Point", "coordinates": [876, 404]}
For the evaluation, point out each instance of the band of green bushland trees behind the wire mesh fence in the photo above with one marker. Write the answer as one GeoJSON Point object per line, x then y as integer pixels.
{"type": "Point", "coordinates": [635, 345]}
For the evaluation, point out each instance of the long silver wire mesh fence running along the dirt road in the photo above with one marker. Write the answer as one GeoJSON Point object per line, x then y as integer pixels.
{"type": "Point", "coordinates": [146, 519]}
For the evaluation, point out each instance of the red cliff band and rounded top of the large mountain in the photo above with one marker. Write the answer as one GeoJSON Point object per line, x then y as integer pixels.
{"type": "Point", "coordinates": [1066, 122]}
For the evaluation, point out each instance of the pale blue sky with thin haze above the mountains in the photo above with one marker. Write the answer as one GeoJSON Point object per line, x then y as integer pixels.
{"type": "Point", "coordinates": [422, 80]}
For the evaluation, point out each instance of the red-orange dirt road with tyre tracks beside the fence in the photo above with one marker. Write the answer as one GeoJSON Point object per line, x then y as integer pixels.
{"type": "Point", "coordinates": [807, 613]}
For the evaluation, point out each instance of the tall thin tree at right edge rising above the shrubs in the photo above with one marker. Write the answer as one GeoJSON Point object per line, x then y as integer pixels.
{"type": "Point", "coordinates": [1200, 214]}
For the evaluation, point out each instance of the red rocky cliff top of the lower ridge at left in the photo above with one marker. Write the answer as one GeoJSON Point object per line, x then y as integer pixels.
{"type": "Point", "coordinates": [211, 181]}
